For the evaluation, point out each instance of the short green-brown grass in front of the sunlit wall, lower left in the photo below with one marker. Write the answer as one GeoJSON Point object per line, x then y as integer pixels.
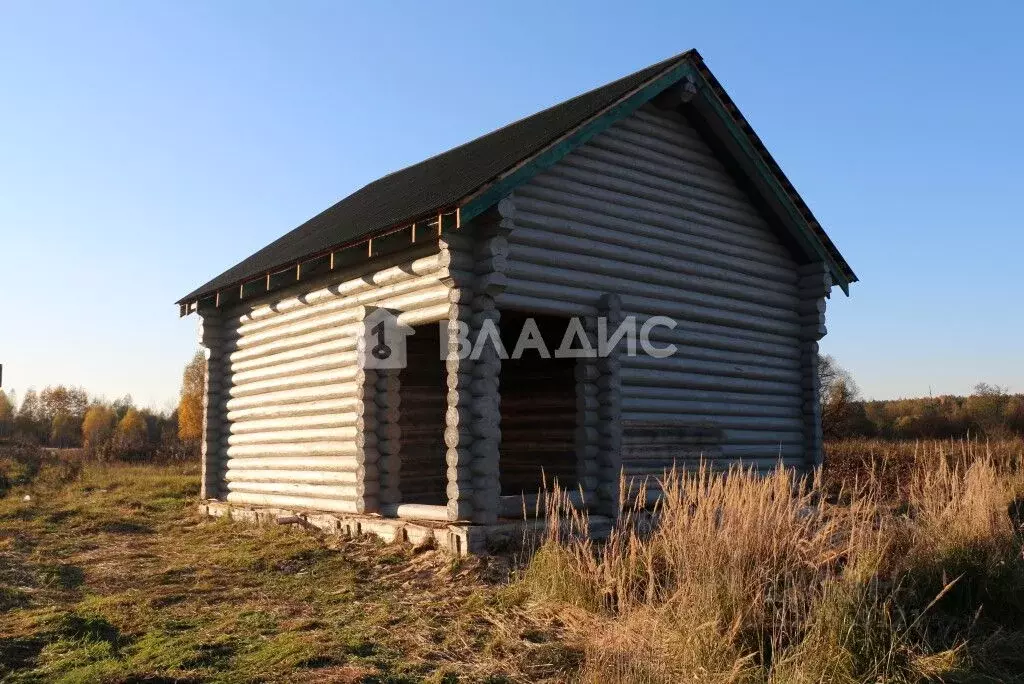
{"type": "Point", "coordinates": [108, 575]}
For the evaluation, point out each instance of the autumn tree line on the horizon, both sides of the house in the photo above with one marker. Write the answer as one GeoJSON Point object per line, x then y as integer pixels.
{"type": "Point", "coordinates": [68, 417]}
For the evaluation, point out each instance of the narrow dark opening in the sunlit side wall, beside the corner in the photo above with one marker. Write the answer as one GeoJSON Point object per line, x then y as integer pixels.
{"type": "Point", "coordinates": [421, 417]}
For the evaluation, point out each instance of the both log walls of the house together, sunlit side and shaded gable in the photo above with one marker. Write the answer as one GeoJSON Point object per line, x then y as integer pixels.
{"type": "Point", "coordinates": [644, 221]}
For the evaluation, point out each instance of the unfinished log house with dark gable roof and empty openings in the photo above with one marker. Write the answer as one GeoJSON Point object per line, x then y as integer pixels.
{"type": "Point", "coordinates": [649, 197]}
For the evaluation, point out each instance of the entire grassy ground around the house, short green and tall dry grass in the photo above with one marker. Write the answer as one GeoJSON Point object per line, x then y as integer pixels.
{"type": "Point", "coordinates": [905, 565]}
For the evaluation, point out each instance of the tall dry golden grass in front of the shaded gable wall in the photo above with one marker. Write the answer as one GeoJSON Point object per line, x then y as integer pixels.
{"type": "Point", "coordinates": [741, 578]}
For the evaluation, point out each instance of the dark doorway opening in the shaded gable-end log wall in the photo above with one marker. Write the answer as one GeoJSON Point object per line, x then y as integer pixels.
{"type": "Point", "coordinates": [538, 407]}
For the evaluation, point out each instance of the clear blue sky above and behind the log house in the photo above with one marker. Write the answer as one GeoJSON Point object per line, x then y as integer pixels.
{"type": "Point", "coordinates": [146, 147]}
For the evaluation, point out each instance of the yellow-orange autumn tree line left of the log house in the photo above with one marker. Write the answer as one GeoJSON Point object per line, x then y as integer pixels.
{"type": "Point", "coordinates": [63, 417]}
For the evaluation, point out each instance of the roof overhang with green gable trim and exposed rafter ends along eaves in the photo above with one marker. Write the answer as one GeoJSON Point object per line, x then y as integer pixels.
{"type": "Point", "coordinates": [687, 80]}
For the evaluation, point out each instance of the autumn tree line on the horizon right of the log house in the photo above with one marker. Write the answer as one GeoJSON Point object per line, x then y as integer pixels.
{"type": "Point", "coordinates": [991, 411]}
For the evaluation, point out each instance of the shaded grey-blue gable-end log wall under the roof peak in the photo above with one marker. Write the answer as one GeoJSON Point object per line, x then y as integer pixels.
{"type": "Point", "coordinates": [648, 213]}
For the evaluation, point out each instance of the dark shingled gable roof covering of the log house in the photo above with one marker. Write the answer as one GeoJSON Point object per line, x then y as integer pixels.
{"type": "Point", "coordinates": [441, 183]}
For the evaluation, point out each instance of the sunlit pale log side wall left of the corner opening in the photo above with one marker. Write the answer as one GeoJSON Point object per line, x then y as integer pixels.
{"type": "Point", "coordinates": [301, 423]}
